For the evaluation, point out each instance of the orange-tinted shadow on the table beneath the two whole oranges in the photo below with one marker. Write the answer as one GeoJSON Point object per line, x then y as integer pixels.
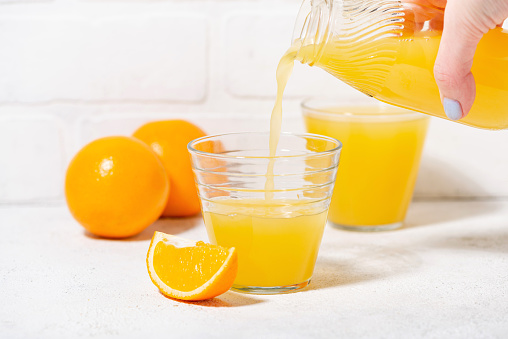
{"type": "Point", "coordinates": [172, 226]}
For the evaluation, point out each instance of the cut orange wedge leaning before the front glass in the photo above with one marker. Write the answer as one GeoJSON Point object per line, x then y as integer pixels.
{"type": "Point", "coordinates": [190, 270]}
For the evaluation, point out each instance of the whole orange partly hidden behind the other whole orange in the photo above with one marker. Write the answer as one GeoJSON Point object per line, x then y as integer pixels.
{"type": "Point", "coordinates": [169, 139]}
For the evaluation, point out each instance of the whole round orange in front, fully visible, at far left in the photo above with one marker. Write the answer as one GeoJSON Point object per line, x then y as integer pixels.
{"type": "Point", "coordinates": [116, 187]}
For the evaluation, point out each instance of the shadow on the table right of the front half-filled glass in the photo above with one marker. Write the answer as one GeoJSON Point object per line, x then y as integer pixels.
{"type": "Point", "coordinates": [361, 263]}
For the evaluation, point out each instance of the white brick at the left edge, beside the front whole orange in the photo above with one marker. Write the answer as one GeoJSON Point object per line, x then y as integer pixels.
{"type": "Point", "coordinates": [32, 162]}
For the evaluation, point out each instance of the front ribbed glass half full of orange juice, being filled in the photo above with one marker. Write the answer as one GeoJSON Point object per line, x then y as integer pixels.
{"type": "Point", "coordinates": [275, 219]}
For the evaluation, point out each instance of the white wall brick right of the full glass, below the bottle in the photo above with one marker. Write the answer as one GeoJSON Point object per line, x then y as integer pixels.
{"type": "Point", "coordinates": [463, 162]}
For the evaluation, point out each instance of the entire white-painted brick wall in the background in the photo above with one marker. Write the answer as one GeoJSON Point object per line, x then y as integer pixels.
{"type": "Point", "coordinates": [72, 71]}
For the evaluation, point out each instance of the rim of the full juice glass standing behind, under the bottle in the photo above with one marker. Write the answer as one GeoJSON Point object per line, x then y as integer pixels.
{"type": "Point", "coordinates": [399, 114]}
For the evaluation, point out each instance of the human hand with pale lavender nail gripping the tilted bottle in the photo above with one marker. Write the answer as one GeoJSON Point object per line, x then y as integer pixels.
{"type": "Point", "coordinates": [465, 22]}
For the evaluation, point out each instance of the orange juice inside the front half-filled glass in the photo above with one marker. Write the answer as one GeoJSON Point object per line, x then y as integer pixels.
{"type": "Point", "coordinates": [277, 240]}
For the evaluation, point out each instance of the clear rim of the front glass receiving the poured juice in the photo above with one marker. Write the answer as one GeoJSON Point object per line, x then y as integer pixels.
{"type": "Point", "coordinates": [338, 146]}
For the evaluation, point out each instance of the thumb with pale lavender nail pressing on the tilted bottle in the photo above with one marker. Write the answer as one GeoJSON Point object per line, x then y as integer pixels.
{"type": "Point", "coordinates": [452, 69]}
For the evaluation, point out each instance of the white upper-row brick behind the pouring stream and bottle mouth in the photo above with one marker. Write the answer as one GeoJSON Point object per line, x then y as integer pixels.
{"type": "Point", "coordinates": [254, 43]}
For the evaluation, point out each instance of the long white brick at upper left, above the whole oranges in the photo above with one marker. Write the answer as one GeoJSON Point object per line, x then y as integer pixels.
{"type": "Point", "coordinates": [103, 57]}
